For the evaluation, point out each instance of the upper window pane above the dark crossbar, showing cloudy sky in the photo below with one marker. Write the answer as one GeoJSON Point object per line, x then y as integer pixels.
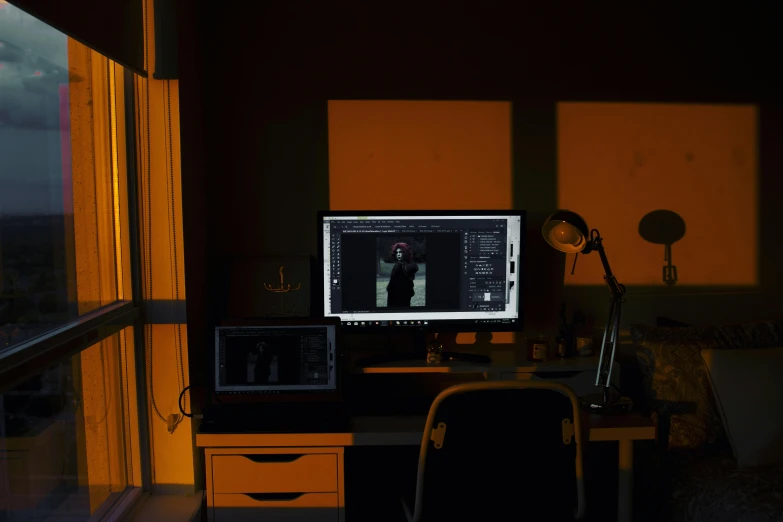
{"type": "Point", "coordinates": [62, 216]}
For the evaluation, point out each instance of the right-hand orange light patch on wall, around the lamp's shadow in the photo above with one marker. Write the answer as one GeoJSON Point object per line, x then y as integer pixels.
{"type": "Point", "coordinates": [620, 161]}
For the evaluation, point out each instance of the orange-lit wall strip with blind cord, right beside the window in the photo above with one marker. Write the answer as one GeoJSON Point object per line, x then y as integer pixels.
{"type": "Point", "coordinates": [166, 345]}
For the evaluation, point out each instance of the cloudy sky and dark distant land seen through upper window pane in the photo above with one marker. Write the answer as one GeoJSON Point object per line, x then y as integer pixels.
{"type": "Point", "coordinates": [37, 257]}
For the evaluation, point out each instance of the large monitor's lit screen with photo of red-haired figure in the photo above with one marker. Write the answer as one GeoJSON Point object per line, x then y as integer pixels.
{"type": "Point", "coordinates": [422, 271]}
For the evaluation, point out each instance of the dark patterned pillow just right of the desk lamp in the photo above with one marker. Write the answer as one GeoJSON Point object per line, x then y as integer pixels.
{"type": "Point", "coordinates": [677, 385]}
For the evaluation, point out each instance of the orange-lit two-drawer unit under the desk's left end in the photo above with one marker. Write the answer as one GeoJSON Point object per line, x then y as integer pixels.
{"type": "Point", "coordinates": [275, 484]}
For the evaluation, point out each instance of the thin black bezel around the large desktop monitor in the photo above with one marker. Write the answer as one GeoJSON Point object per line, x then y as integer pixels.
{"type": "Point", "coordinates": [457, 326]}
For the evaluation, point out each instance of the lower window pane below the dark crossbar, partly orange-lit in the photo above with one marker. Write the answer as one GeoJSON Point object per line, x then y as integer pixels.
{"type": "Point", "coordinates": [66, 435]}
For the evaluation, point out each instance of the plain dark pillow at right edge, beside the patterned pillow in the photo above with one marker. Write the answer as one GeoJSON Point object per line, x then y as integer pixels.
{"type": "Point", "coordinates": [748, 389]}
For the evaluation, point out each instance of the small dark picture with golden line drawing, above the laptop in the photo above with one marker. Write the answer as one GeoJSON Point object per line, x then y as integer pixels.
{"type": "Point", "coordinates": [269, 287]}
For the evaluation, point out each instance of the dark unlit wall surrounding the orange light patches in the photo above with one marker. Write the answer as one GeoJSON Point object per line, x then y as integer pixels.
{"type": "Point", "coordinates": [255, 142]}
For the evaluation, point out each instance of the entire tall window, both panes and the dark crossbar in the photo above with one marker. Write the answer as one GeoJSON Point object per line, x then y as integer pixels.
{"type": "Point", "coordinates": [70, 442]}
